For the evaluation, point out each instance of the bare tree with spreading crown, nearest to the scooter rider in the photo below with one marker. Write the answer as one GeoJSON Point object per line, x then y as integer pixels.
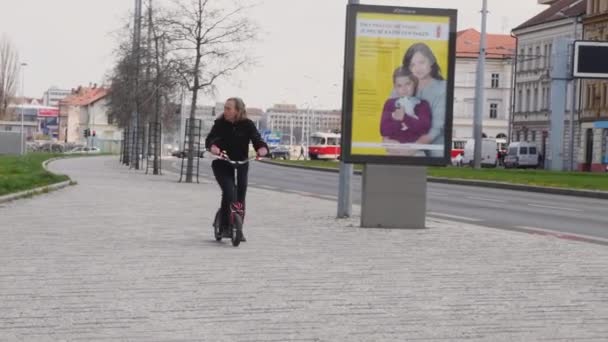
{"type": "Point", "coordinates": [207, 39]}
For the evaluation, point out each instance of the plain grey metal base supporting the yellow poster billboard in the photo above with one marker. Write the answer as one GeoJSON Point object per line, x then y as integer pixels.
{"type": "Point", "coordinates": [393, 197]}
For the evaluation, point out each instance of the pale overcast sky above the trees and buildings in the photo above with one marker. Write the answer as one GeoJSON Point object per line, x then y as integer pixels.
{"type": "Point", "coordinates": [67, 43]}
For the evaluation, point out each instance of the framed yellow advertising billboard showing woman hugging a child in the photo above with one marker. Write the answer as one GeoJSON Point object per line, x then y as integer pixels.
{"type": "Point", "coordinates": [398, 85]}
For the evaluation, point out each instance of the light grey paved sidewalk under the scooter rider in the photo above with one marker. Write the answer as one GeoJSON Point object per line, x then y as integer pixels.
{"type": "Point", "coordinates": [124, 256]}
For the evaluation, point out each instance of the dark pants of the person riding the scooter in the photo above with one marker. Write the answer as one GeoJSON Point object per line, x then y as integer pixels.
{"type": "Point", "coordinates": [224, 174]}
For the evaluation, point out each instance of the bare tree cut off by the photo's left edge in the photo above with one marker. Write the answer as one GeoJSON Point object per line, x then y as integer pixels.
{"type": "Point", "coordinates": [9, 73]}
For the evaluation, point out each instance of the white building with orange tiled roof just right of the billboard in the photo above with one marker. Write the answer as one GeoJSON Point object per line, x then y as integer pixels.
{"type": "Point", "coordinates": [498, 84]}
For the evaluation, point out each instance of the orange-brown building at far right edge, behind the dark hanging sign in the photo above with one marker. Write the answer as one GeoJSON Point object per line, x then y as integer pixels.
{"type": "Point", "coordinates": [593, 150]}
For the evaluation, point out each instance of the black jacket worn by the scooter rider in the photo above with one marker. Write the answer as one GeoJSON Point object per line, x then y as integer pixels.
{"type": "Point", "coordinates": [234, 138]}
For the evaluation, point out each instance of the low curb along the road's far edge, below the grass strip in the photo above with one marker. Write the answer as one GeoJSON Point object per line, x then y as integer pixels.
{"type": "Point", "coordinates": [479, 183]}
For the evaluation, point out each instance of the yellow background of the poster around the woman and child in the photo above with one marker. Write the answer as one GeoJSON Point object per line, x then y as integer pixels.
{"type": "Point", "coordinates": [375, 61]}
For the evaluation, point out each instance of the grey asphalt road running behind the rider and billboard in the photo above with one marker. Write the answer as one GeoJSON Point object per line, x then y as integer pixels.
{"type": "Point", "coordinates": [496, 208]}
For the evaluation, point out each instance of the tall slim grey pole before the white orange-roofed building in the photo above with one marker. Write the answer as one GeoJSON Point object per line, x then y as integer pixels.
{"type": "Point", "coordinates": [479, 87]}
